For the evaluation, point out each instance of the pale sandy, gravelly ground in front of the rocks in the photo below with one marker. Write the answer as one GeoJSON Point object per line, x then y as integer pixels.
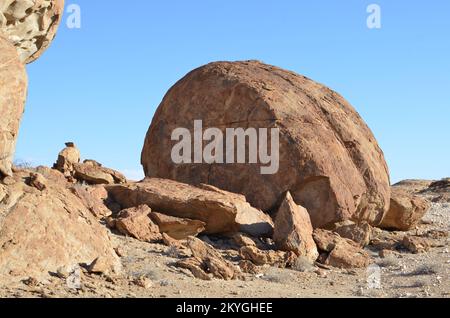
{"type": "Point", "coordinates": [401, 274]}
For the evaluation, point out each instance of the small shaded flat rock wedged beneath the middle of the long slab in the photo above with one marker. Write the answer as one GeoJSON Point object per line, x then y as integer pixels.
{"type": "Point", "coordinates": [177, 228]}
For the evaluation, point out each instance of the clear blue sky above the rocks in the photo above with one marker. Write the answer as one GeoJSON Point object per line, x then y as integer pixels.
{"type": "Point", "coordinates": [100, 85]}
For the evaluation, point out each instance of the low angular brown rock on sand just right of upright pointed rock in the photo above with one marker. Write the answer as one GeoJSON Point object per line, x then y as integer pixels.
{"type": "Point", "coordinates": [340, 252]}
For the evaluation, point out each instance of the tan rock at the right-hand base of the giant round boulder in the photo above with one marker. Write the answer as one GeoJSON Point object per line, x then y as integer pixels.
{"type": "Point", "coordinates": [405, 212]}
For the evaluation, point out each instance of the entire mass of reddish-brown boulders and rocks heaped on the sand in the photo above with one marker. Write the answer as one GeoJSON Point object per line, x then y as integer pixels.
{"type": "Point", "coordinates": [319, 209]}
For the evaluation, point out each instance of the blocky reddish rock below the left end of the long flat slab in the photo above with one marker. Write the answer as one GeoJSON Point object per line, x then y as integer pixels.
{"type": "Point", "coordinates": [136, 222]}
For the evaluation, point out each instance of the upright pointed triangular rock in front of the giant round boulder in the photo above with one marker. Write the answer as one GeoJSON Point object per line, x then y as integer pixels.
{"type": "Point", "coordinates": [293, 230]}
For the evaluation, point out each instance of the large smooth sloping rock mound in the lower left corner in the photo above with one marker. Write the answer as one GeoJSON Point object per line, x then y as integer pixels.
{"type": "Point", "coordinates": [41, 231]}
